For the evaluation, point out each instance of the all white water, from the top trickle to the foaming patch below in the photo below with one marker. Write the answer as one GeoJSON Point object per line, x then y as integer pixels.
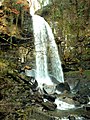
{"type": "Point", "coordinates": [47, 56]}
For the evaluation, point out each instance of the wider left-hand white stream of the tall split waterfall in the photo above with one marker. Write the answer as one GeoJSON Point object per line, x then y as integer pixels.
{"type": "Point", "coordinates": [41, 50]}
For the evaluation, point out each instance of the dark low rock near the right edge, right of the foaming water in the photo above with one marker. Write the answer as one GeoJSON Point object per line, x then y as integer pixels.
{"type": "Point", "coordinates": [81, 99]}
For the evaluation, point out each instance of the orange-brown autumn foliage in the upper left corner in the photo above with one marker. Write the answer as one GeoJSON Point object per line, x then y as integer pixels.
{"type": "Point", "coordinates": [12, 11]}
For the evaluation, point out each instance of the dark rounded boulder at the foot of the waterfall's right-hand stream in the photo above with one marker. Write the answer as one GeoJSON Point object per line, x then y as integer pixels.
{"type": "Point", "coordinates": [63, 87]}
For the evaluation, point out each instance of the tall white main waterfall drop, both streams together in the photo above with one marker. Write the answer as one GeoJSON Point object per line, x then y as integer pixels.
{"type": "Point", "coordinates": [45, 48]}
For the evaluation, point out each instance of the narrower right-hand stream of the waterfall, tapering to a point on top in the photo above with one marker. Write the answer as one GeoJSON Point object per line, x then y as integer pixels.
{"type": "Point", "coordinates": [56, 68]}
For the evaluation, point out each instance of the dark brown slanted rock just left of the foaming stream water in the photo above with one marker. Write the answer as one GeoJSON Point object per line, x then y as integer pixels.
{"type": "Point", "coordinates": [49, 105]}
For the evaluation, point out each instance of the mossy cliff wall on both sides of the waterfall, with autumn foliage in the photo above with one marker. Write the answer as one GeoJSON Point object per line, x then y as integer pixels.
{"type": "Point", "coordinates": [69, 22]}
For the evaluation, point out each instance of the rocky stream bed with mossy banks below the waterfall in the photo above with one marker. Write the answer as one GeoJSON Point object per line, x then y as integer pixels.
{"type": "Point", "coordinates": [21, 99]}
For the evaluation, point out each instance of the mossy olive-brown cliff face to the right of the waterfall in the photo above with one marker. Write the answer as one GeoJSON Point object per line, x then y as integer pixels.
{"type": "Point", "coordinates": [71, 28]}
